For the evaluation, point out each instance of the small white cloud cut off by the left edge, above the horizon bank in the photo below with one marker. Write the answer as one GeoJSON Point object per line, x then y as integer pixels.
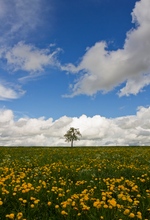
{"type": "Point", "coordinates": [6, 92]}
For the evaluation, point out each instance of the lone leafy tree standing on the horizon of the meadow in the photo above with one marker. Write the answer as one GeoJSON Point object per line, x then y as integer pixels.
{"type": "Point", "coordinates": [72, 135]}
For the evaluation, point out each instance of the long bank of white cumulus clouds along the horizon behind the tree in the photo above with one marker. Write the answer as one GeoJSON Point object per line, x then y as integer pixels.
{"type": "Point", "coordinates": [96, 130]}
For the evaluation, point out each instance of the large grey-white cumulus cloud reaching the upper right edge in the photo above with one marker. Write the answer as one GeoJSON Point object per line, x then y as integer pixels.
{"type": "Point", "coordinates": [103, 70]}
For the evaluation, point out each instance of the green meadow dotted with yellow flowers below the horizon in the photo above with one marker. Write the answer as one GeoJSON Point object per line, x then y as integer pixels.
{"type": "Point", "coordinates": [109, 183]}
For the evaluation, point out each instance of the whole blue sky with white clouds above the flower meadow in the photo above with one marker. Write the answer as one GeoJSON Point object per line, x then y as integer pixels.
{"type": "Point", "coordinates": [82, 64]}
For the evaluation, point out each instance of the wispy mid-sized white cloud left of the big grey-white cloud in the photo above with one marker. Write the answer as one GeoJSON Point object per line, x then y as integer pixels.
{"type": "Point", "coordinates": [28, 58]}
